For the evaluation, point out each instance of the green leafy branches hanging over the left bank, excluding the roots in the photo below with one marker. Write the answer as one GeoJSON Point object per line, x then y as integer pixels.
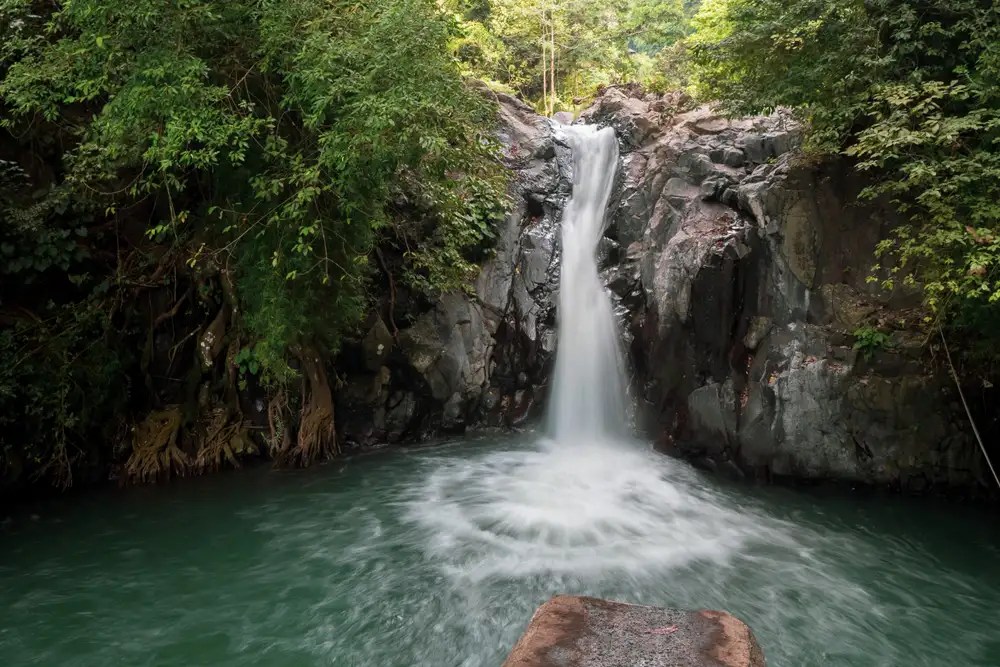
{"type": "Point", "coordinates": [276, 143]}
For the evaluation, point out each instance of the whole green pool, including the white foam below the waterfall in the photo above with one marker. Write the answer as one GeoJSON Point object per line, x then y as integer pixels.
{"type": "Point", "coordinates": [438, 556]}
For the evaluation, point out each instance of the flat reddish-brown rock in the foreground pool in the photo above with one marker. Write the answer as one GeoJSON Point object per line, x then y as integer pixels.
{"type": "Point", "coordinates": [570, 631]}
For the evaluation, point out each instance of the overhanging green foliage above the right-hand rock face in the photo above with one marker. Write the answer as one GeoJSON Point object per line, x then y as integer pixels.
{"type": "Point", "coordinates": [911, 90]}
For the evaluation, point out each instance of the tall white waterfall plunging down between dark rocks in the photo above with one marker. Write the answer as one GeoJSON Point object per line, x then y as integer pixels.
{"type": "Point", "coordinates": [588, 397]}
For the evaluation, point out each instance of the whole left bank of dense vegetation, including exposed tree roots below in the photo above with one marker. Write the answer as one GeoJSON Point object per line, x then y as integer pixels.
{"type": "Point", "coordinates": [188, 181]}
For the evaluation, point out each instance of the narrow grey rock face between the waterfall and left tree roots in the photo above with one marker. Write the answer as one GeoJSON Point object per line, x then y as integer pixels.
{"type": "Point", "coordinates": [483, 357]}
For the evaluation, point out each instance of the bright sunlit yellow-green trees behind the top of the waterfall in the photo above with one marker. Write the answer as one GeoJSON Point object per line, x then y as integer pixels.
{"type": "Point", "coordinates": [562, 51]}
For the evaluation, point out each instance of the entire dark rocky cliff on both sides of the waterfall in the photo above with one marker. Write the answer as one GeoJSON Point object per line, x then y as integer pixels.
{"type": "Point", "coordinates": [740, 273]}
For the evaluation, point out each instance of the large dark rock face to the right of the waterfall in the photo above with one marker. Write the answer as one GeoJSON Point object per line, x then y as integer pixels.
{"type": "Point", "coordinates": [752, 261]}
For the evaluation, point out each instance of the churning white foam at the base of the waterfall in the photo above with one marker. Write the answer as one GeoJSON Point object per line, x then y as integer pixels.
{"type": "Point", "coordinates": [593, 509]}
